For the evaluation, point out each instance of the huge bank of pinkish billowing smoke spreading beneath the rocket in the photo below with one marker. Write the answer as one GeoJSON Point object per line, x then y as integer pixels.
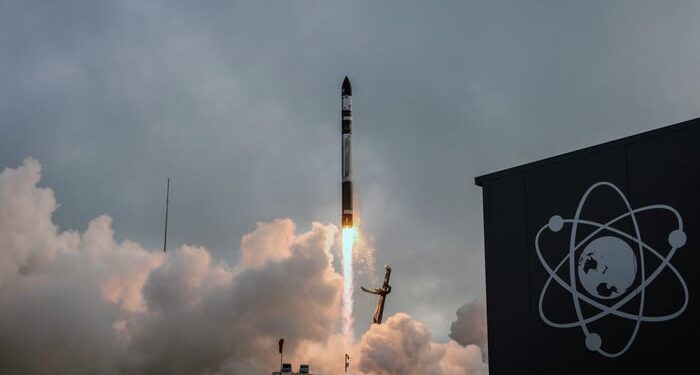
{"type": "Point", "coordinates": [80, 303]}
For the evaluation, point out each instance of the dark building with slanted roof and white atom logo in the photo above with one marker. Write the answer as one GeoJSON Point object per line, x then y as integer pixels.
{"type": "Point", "coordinates": [592, 259]}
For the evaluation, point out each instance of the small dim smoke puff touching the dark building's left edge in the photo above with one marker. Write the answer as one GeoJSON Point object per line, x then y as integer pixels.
{"type": "Point", "coordinates": [470, 326]}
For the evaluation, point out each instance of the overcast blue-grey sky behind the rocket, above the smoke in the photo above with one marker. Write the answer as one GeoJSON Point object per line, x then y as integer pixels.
{"type": "Point", "coordinates": [239, 104]}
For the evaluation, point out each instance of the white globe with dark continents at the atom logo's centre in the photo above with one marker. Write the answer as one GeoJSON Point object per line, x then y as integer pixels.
{"type": "Point", "coordinates": [607, 267]}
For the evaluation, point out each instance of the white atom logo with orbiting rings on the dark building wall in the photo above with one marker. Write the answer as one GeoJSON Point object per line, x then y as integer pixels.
{"type": "Point", "coordinates": [606, 264]}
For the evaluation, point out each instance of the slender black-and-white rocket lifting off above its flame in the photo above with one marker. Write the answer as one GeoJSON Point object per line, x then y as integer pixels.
{"type": "Point", "coordinates": [346, 143]}
